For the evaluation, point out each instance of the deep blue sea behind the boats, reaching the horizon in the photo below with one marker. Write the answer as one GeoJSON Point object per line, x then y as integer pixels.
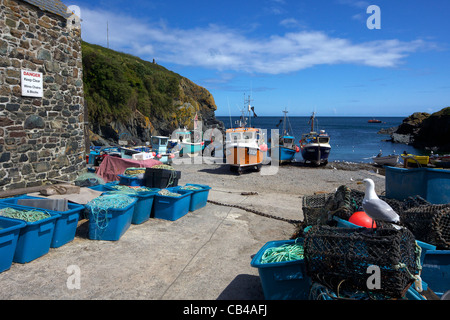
{"type": "Point", "coordinates": [353, 139]}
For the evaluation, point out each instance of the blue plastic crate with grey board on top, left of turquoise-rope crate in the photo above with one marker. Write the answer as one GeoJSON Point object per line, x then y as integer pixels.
{"type": "Point", "coordinates": [66, 224]}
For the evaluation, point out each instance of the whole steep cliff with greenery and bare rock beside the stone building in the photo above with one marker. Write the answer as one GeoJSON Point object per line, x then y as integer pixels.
{"type": "Point", "coordinates": [131, 99]}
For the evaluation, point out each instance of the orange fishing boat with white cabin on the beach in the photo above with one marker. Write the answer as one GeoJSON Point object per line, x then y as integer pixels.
{"type": "Point", "coordinates": [245, 145]}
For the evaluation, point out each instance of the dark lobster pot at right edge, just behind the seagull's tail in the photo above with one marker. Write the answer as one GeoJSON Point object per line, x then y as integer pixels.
{"type": "Point", "coordinates": [429, 223]}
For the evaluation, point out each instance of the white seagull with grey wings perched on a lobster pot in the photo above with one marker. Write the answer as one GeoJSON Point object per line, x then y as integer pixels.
{"type": "Point", "coordinates": [376, 208]}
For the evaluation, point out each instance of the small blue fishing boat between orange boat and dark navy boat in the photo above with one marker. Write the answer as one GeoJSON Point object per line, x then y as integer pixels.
{"type": "Point", "coordinates": [285, 149]}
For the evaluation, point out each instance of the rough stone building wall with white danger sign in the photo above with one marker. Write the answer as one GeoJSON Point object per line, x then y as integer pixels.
{"type": "Point", "coordinates": [41, 94]}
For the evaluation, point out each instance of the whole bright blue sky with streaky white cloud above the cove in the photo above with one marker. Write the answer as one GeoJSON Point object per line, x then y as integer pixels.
{"type": "Point", "coordinates": [312, 55]}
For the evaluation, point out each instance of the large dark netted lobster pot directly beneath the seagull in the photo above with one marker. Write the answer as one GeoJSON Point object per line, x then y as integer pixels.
{"type": "Point", "coordinates": [344, 258]}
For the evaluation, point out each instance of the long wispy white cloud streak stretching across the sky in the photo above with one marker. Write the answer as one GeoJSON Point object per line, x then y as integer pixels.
{"type": "Point", "coordinates": [226, 49]}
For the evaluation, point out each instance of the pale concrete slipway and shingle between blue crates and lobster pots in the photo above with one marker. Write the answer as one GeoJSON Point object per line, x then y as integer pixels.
{"type": "Point", "coordinates": [204, 255]}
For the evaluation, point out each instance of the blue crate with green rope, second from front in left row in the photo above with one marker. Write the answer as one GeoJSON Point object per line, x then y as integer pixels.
{"type": "Point", "coordinates": [35, 238]}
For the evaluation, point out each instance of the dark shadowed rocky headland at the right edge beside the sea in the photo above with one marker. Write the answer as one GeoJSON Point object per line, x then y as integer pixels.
{"type": "Point", "coordinates": [425, 131]}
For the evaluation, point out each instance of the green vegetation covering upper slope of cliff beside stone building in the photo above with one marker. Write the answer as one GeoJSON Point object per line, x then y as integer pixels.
{"type": "Point", "coordinates": [117, 84]}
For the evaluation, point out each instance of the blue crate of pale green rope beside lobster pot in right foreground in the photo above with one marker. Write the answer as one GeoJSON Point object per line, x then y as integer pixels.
{"type": "Point", "coordinates": [282, 280]}
